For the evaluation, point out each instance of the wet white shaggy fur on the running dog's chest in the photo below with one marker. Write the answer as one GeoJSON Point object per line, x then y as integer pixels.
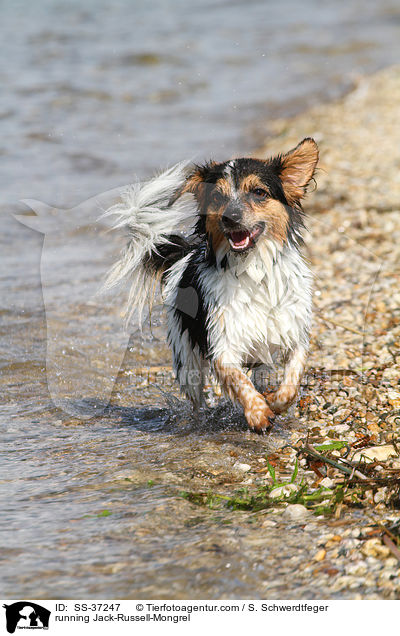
{"type": "Point", "coordinates": [259, 303]}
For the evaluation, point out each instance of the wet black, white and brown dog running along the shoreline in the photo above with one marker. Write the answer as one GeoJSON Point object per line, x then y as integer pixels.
{"type": "Point", "coordinates": [224, 240]}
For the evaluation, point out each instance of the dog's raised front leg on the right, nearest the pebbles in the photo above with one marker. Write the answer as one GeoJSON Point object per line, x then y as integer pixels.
{"type": "Point", "coordinates": [287, 392]}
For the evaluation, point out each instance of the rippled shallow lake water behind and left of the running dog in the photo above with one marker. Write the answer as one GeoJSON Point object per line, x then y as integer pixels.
{"type": "Point", "coordinates": [92, 507]}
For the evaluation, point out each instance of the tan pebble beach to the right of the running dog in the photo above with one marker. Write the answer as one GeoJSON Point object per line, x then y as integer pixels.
{"type": "Point", "coordinates": [353, 246]}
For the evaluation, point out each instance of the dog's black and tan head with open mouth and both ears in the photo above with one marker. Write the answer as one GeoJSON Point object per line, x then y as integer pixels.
{"type": "Point", "coordinates": [243, 200]}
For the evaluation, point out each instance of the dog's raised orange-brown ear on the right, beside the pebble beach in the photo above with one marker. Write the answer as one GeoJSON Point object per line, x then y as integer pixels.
{"type": "Point", "coordinates": [297, 169]}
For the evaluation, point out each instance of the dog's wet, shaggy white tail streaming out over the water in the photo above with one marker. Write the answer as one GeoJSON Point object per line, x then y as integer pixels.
{"type": "Point", "coordinates": [159, 227]}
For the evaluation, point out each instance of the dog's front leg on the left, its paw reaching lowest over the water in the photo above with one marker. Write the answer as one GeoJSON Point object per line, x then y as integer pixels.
{"type": "Point", "coordinates": [240, 388]}
